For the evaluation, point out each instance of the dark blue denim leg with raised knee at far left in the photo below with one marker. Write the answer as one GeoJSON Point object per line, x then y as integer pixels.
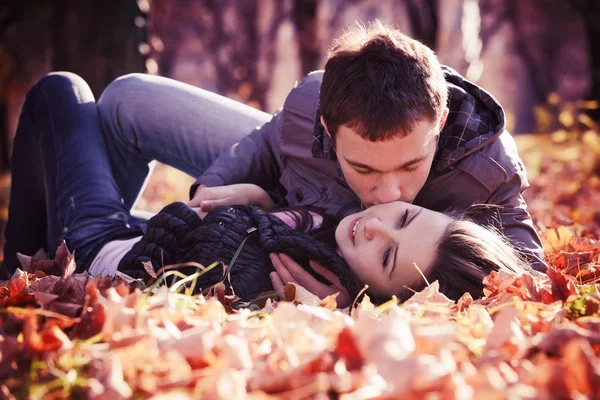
{"type": "Point", "coordinates": [60, 125]}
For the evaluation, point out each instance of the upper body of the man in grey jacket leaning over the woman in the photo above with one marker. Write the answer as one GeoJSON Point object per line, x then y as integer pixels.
{"type": "Point", "coordinates": [383, 122]}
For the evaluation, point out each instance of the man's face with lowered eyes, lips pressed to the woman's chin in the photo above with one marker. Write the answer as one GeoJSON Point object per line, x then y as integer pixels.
{"type": "Point", "coordinates": [396, 169]}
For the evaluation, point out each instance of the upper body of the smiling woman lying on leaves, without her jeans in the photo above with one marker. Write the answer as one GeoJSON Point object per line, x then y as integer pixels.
{"type": "Point", "coordinates": [395, 248]}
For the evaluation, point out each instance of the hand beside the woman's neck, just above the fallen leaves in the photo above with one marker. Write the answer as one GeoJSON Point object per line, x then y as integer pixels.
{"type": "Point", "coordinates": [289, 271]}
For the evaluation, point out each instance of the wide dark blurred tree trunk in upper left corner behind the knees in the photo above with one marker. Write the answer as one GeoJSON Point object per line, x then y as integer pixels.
{"type": "Point", "coordinates": [98, 40]}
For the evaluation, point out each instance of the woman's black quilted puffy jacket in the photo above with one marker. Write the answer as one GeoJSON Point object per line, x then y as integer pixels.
{"type": "Point", "coordinates": [177, 235]}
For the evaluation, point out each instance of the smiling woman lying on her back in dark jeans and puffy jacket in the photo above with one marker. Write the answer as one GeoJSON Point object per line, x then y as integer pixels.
{"type": "Point", "coordinates": [64, 188]}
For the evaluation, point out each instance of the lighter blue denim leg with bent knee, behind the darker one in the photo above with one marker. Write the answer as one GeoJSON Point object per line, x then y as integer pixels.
{"type": "Point", "coordinates": [147, 118]}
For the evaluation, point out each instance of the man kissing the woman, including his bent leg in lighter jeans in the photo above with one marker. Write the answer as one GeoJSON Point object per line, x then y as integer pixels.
{"type": "Point", "coordinates": [383, 122]}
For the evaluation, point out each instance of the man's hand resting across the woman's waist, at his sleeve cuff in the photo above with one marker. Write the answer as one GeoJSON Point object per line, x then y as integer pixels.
{"type": "Point", "coordinates": [206, 198]}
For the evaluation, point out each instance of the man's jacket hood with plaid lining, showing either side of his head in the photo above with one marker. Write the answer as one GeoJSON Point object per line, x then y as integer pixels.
{"type": "Point", "coordinates": [475, 119]}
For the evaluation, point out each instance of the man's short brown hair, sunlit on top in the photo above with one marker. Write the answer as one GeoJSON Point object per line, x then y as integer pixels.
{"type": "Point", "coordinates": [381, 83]}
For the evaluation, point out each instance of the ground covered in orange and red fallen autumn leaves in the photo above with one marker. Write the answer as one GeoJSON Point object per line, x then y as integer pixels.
{"type": "Point", "coordinates": [71, 335]}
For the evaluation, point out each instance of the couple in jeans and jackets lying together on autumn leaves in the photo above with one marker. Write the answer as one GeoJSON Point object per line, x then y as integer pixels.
{"type": "Point", "coordinates": [366, 159]}
